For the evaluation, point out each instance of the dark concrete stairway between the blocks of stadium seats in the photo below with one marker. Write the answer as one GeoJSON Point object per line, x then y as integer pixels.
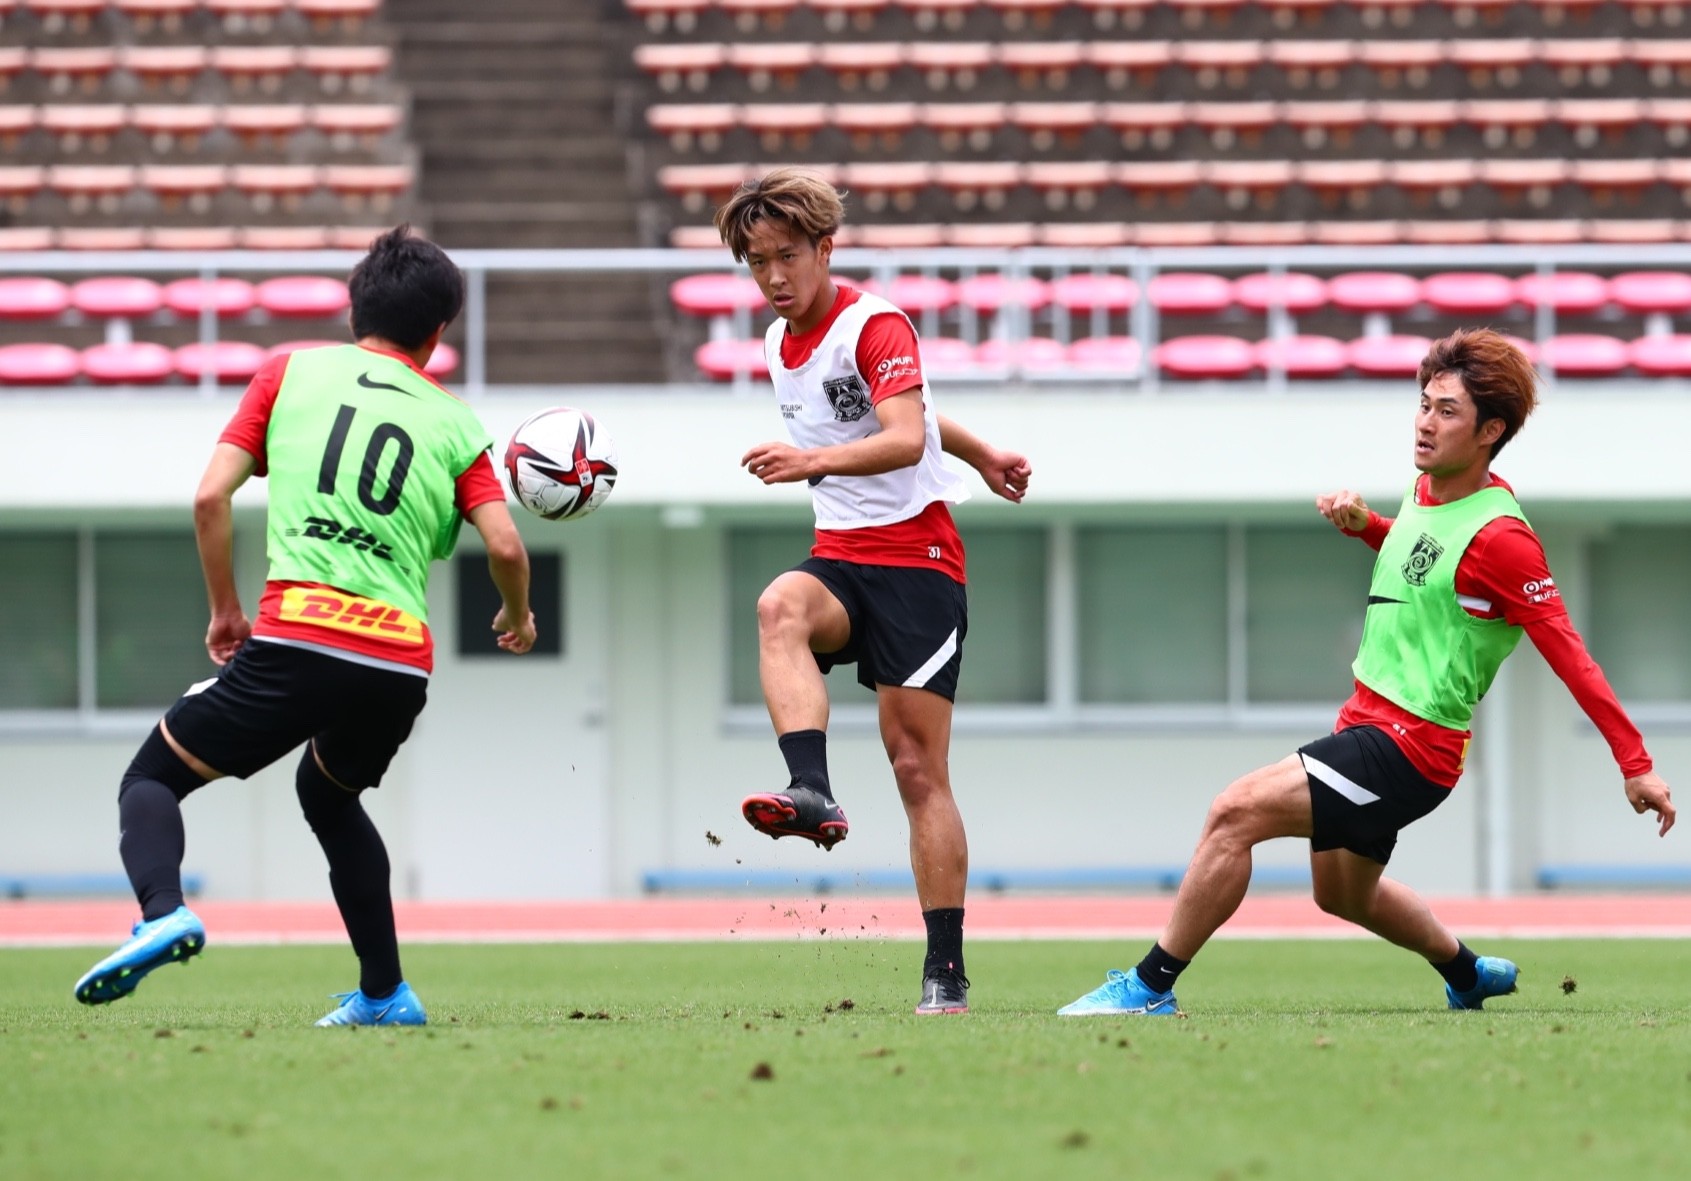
{"type": "Point", "coordinates": [513, 109]}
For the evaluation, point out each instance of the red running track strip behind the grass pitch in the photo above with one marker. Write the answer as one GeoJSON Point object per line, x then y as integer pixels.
{"type": "Point", "coordinates": [26, 925]}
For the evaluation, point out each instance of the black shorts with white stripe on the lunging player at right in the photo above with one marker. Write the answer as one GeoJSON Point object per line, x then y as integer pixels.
{"type": "Point", "coordinates": [1364, 789]}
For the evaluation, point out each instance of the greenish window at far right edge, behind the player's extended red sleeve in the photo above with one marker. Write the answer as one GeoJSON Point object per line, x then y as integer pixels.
{"type": "Point", "coordinates": [1639, 629]}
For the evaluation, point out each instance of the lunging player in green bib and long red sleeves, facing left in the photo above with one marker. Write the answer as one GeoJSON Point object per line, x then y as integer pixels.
{"type": "Point", "coordinates": [1460, 578]}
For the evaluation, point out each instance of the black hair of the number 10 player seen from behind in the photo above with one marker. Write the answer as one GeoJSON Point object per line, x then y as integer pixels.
{"type": "Point", "coordinates": [403, 290]}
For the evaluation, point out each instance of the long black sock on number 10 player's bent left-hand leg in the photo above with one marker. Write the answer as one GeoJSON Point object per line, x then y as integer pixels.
{"type": "Point", "coordinates": [151, 825]}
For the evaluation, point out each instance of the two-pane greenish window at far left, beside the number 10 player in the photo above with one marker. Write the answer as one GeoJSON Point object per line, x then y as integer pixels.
{"type": "Point", "coordinates": [101, 622]}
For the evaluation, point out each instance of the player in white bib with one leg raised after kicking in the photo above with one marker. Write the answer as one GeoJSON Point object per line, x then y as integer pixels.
{"type": "Point", "coordinates": [884, 586]}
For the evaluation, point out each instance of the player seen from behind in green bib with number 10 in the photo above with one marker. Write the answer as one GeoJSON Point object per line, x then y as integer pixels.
{"type": "Point", "coordinates": [373, 470]}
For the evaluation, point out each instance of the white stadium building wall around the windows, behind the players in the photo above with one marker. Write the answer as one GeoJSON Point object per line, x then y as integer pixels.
{"type": "Point", "coordinates": [579, 776]}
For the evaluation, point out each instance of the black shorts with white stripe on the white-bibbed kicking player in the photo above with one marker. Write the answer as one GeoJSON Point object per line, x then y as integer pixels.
{"type": "Point", "coordinates": [907, 623]}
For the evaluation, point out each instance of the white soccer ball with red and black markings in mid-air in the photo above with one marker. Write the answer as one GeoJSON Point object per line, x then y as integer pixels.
{"type": "Point", "coordinates": [562, 464]}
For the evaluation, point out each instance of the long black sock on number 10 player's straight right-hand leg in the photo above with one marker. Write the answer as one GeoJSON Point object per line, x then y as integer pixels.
{"type": "Point", "coordinates": [358, 874]}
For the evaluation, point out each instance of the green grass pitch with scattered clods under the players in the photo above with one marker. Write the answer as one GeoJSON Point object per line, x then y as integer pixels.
{"type": "Point", "coordinates": [1300, 1060]}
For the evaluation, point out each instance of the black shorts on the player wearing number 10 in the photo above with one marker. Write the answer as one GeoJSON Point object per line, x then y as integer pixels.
{"type": "Point", "coordinates": [273, 698]}
